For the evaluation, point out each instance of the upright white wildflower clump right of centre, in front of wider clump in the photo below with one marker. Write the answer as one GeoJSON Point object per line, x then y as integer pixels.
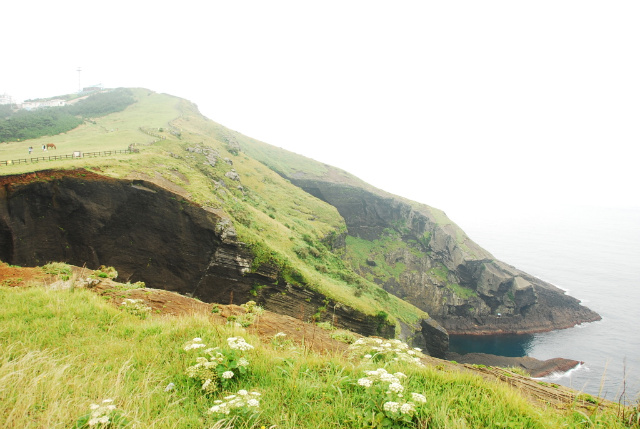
{"type": "Point", "coordinates": [386, 389]}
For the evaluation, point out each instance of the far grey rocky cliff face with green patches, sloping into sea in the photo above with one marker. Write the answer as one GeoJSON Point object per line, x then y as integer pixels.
{"type": "Point", "coordinates": [440, 270]}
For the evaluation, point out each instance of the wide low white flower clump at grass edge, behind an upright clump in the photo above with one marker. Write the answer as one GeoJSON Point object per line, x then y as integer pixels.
{"type": "Point", "coordinates": [379, 350]}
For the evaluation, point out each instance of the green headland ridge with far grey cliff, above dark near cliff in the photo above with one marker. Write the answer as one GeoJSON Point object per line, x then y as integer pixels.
{"type": "Point", "coordinates": [294, 214]}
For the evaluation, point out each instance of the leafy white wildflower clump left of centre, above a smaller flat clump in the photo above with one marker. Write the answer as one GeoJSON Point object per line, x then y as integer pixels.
{"type": "Point", "coordinates": [218, 367]}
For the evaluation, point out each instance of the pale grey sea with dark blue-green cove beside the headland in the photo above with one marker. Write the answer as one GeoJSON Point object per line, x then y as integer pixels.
{"type": "Point", "coordinates": [594, 254]}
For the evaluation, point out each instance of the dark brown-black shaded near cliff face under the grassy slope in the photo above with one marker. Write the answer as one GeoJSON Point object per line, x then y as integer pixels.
{"type": "Point", "coordinates": [150, 234]}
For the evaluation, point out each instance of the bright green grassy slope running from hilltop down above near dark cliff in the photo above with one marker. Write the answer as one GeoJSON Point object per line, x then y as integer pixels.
{"type": "Point", "coordinates": [281, 223]}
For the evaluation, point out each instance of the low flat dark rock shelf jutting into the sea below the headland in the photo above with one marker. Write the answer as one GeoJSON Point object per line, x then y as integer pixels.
{"type": "Point", "coordinates": [535, 367]}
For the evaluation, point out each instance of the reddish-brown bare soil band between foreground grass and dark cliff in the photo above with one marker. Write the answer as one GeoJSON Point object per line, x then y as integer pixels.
{"type": "Point", "coordinates": [304, 334]}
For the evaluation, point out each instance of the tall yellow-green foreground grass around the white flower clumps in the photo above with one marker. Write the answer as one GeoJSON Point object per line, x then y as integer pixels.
{"type": "Point", "coordinates": [62, 351]}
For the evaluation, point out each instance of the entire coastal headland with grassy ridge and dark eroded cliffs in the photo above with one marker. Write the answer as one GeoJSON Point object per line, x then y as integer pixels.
{"type": "Point", "coordinates": [208, 212]}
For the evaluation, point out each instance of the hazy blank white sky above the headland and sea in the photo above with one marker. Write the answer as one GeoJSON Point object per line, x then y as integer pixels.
{"type": "Point", "coordinates": [457, 104]}
